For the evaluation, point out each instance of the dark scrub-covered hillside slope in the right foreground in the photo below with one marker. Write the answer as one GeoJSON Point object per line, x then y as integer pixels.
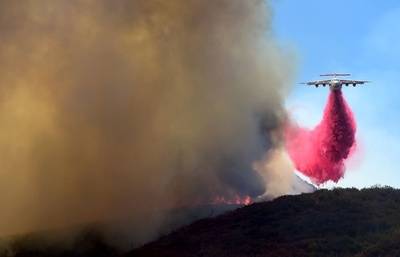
{"type": "Point", "coordinates": [339, 222]}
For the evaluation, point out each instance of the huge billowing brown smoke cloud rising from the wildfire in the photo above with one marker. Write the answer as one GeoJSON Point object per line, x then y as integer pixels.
{"type": "Point", "coordinates": [113, 108]}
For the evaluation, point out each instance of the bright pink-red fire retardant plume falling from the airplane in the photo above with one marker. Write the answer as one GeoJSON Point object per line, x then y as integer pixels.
{"type": "Point", "coordinates": [320, 153]}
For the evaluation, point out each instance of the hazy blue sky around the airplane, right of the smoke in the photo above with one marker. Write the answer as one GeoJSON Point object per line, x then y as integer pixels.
{"type": "Point", "coordinates": [361, 38]}
